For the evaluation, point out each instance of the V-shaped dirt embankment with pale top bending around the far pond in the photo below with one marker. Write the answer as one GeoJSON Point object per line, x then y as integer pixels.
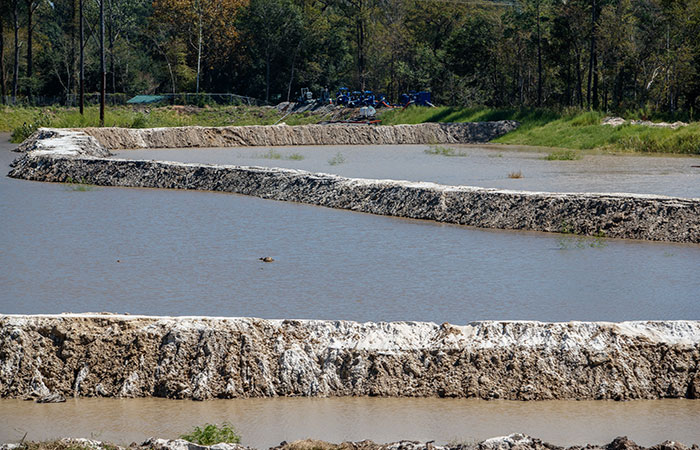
{"type": "Point", "coordinates": [65, 155]}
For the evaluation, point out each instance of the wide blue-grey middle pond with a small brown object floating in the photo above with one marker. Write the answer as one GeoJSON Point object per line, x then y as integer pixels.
{"type": "Point", "coordinates": [167, 252]}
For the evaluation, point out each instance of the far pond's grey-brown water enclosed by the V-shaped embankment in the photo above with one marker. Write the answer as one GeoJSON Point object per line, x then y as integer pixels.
{"type": "Point", "coordinates": [472, 165]}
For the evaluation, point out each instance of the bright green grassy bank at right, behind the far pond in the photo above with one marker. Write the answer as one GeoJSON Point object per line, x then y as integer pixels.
{"type": "Point", "coordinates": [574, 130]}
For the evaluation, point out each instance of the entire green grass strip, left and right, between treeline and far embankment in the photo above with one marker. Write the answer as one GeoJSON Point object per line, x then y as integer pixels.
{"type": "Point", "coordinates": [570, 129]}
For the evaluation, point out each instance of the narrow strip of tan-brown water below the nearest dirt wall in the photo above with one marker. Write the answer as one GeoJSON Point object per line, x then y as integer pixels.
{"type": "Point", "coordinates": [266, 422]}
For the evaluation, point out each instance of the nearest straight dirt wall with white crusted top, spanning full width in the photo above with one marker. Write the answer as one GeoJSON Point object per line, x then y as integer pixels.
{"type": "Point", "coordinates": [202, 358]}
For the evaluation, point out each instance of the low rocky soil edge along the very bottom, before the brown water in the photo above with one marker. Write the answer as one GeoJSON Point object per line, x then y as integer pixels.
{"type": "Point", "coordinates": [511, 442]}
